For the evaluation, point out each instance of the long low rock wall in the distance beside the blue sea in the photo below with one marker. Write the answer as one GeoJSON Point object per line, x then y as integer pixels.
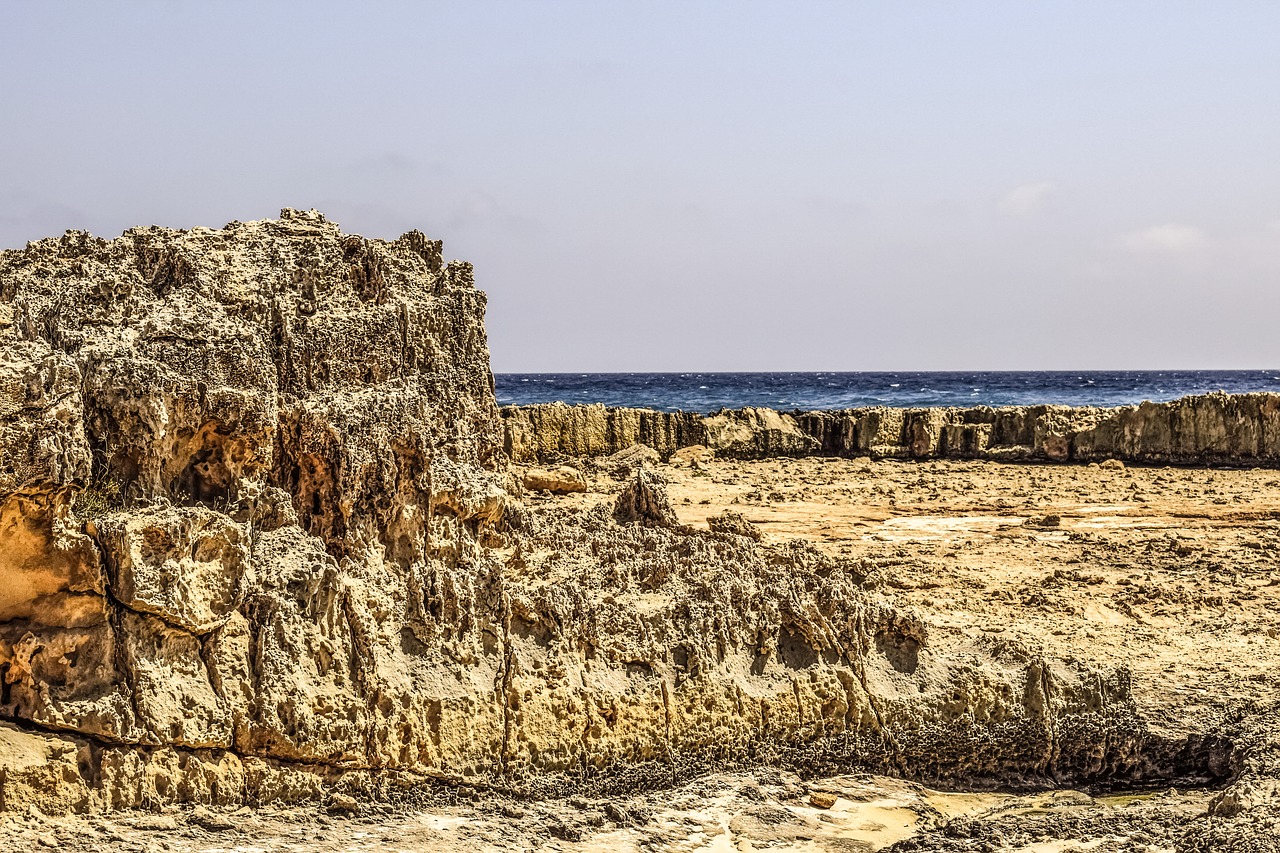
{"type": "Point", "coordinates": [1208, 430]}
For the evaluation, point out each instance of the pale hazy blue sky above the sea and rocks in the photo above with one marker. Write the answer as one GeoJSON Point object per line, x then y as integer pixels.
{"type": "Point", "coordinates": [707, 186]}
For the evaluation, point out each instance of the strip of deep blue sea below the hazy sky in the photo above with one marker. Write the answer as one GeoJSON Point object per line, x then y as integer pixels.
{"type": "Point", "coordinates": [705, 393]}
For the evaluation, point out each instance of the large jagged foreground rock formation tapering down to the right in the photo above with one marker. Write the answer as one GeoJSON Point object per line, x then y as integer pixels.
{"type": "Point", "coordinates": [263, 545]}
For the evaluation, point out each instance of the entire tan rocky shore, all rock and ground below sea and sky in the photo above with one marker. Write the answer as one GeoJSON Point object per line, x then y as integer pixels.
{"type": "Point", "coordinates": [277, 574]}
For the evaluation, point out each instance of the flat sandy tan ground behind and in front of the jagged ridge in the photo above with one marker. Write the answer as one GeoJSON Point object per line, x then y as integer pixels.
{"type": "Point", "coordinates": [1173, 572]}
